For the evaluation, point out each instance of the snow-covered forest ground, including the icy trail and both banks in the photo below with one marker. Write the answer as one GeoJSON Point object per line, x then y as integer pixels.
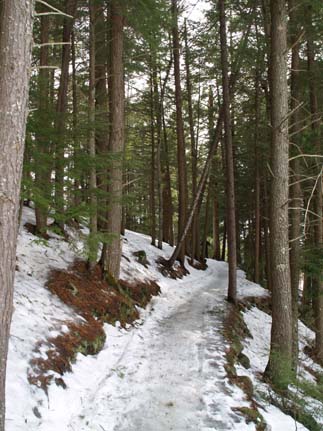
{"type": "Point", "coordinates": [167, 371]}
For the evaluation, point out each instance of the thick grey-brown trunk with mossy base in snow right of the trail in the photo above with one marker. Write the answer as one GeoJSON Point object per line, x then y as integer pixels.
{"type": "Point", "coordinates": [281, 333]}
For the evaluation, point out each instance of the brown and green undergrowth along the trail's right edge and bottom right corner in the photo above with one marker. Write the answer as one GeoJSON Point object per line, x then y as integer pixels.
{"type": "Point", "coordinates": [296, 401]}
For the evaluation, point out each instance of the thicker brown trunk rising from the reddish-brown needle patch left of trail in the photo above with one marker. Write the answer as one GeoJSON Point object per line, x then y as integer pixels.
{"type": "Point", "coordinates": [112, 251]}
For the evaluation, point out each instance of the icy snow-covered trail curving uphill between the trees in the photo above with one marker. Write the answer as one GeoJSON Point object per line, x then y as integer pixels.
{"type": "Point", "coordinates": [171, 375]}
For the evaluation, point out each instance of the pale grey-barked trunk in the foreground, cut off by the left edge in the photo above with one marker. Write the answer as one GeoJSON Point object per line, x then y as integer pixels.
{"type": "Point", "coordinates": [15, 61]}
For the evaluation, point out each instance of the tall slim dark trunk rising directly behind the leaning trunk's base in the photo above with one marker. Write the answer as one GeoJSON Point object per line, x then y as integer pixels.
{"type": "Point", "coordinates": [181, 159]}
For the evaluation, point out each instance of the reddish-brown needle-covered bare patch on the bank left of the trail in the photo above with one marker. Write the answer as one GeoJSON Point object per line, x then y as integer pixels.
{"type": "Point", "coordinates": [98, 302]}
